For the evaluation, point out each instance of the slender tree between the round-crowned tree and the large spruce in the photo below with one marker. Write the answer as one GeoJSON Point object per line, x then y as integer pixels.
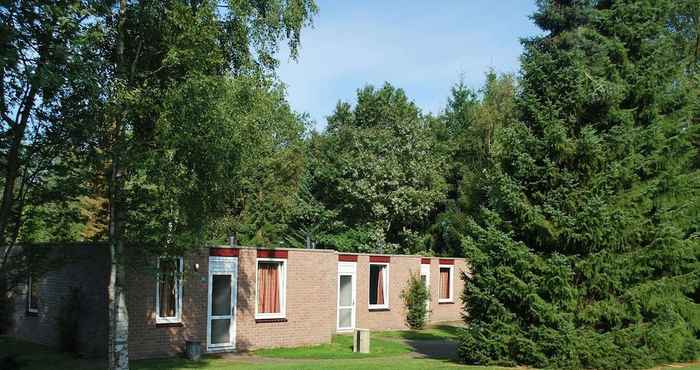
{"type": "Point", "coordinates": [471, 130]}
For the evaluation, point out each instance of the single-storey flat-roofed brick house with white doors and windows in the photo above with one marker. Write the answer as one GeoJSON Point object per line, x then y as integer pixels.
{"type": "Point", "coordinates": [236, 298]}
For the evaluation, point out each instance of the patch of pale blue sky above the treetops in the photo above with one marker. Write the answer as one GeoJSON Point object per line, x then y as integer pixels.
{"type": "Point", "coordinates": [423, 47]}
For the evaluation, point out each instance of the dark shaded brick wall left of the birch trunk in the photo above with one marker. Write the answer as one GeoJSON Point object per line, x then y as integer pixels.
{"type": "Point", "coordinates": [83, 267]}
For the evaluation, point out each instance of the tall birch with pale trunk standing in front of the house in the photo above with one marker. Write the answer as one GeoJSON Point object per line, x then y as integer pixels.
{"type": "Point", "coordinates": [151, 55]}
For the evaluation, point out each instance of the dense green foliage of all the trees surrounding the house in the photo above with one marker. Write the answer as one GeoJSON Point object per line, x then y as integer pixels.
{"type": "Point", "coordinates": [573, 188]}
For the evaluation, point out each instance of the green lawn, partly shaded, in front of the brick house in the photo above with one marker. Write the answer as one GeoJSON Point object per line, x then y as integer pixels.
{"type": "Point", "coordinates": [337, 355]}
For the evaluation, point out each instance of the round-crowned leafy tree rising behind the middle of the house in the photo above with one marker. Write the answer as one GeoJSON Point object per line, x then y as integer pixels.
{"type": "Point", "coordinates": [380, 170]}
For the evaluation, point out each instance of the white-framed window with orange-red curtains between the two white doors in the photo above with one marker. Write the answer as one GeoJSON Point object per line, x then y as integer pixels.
{"type": "Point", "coordinates": [271, 289]}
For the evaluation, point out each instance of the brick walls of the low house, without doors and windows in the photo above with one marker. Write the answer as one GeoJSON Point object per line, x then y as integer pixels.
{"type": "Point", "coordinates": [311, 301]}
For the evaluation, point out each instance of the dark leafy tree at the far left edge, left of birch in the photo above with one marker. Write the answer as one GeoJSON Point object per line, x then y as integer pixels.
{"type": "Point", "coordinates": [41, 45]}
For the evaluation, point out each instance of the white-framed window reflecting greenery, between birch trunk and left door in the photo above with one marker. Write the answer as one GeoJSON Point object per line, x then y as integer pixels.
{"type": "Point", "coordinates": [169, 290]}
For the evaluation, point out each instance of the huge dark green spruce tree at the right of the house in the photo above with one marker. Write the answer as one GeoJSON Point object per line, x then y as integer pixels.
{"type": "Point", "coordinates": [585, 251]}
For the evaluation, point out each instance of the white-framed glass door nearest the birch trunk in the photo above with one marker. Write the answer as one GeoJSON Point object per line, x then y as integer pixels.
{"type": "Point", "coordinates": [221, 317]}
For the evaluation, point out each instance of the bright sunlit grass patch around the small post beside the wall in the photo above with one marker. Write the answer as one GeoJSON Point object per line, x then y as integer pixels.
{"type": "Point", "coordinates": [339, 348]}
